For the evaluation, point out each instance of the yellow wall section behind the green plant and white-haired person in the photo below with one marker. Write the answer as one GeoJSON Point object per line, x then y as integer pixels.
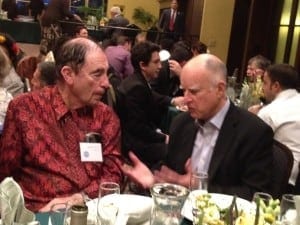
{"type": "Point", "coordinates": [152, 6]}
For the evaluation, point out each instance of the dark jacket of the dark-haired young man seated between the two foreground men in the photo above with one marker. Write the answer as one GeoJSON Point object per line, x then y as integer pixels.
{"type": "Point", "coordinates": [139, 111]}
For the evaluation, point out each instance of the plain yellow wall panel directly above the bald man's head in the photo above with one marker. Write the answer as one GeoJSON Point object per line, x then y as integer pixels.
{"type": "Point", "coordinates": [216, 26]}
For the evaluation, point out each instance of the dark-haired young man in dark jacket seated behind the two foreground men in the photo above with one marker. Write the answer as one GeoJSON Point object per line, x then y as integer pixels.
{"type": "Point", "coordinates": [140, 106]}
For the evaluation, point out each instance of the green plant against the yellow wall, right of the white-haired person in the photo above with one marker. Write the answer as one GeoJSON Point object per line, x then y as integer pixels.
{"type": "Point", "coordinates": [143, 17]}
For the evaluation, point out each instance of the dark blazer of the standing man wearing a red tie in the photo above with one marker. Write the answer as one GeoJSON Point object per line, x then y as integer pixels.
{"type": "Point", "coordinates": [165, 21]}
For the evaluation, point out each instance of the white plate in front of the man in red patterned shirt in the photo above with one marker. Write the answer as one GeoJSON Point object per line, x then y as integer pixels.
{"type": "Point", "coordinates": [137, 207]}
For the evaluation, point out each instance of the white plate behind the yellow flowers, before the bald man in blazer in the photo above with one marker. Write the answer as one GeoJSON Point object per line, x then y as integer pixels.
{"type": "Point", "coordinates": [221, 200]}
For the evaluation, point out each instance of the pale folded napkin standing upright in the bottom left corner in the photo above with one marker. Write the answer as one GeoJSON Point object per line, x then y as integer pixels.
{"type": "Point", "coordinates": [13, 209]}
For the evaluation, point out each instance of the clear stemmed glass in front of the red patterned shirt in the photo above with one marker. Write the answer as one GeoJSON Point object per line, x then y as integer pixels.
{"type": "Point", "coordinates": [106, 213]}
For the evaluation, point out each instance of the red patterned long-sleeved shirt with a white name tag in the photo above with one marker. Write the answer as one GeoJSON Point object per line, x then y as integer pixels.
{"type": "Point", "coordinates": [39, 147]}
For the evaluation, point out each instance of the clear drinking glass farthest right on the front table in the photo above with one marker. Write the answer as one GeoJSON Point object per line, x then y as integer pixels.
{"type": "Point", "coordinates": [288, 212]}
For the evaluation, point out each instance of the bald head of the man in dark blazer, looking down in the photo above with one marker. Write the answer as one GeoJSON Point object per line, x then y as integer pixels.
{"type": "Point", "coordinates": [203, 79]}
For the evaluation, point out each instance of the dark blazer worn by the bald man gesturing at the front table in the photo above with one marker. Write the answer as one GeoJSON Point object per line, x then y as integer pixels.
{"type": "Point", "coordinates": [242, 160]}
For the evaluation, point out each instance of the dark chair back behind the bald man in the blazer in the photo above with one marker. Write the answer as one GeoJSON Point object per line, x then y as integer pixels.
{"type": "Point", "coordinates": [282, 166]}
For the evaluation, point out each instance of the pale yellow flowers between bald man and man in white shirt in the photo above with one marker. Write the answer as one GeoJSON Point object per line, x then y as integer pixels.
{"type": "Point", "coordinates": [251, 93]}
